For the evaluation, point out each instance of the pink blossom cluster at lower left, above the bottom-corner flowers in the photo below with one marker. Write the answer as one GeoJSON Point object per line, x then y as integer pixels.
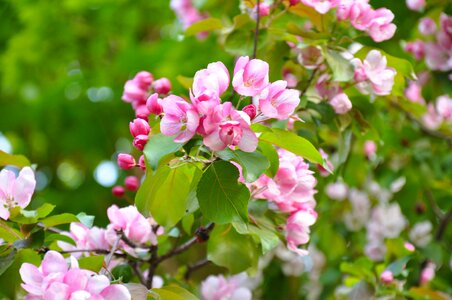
{"type": "Point", "coordinates": [138, 232]}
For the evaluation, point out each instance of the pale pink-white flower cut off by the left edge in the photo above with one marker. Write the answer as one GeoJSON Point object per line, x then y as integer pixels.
{"type": "Point", "coordinates": [15, 191]}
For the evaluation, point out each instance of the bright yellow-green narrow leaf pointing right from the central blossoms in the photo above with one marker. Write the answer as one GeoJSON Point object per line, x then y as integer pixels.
{"type": "Point", "coordinates": [293, 143]}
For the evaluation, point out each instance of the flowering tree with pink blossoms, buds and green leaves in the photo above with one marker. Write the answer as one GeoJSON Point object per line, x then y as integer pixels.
{"type": "Point", "coordinates": [316, 162]}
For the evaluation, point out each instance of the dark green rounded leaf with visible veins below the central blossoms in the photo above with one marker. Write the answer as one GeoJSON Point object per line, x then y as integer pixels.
{"type": "Point", "coordinates": [221, 197]}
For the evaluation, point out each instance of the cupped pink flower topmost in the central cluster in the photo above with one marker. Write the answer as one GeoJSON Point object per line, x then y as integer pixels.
{"type": "Point", "coordinates": [250, 76]}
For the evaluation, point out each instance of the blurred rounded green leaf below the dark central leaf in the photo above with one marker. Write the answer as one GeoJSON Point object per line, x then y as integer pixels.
{"type": "Point", "coordinates": [229, 249]}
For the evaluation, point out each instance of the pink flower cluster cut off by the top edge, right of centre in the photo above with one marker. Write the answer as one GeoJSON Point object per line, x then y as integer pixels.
{"type": "Point", "coordinates": [376, 22]}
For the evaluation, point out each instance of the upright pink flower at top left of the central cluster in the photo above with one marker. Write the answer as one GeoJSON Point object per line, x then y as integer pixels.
{"type": "Point", "coordinates": [208, 85]}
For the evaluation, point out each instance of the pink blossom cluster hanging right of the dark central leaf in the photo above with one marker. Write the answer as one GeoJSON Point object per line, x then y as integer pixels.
{"type": "Point", "coordinates": [291, 191]}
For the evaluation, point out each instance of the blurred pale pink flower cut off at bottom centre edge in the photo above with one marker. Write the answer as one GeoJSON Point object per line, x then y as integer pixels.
{"type": "Point", "coordinates": [221, 288]}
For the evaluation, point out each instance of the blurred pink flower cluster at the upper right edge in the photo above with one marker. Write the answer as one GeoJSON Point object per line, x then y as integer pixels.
{"type": "Point", "coordinates": [436, 45]}
